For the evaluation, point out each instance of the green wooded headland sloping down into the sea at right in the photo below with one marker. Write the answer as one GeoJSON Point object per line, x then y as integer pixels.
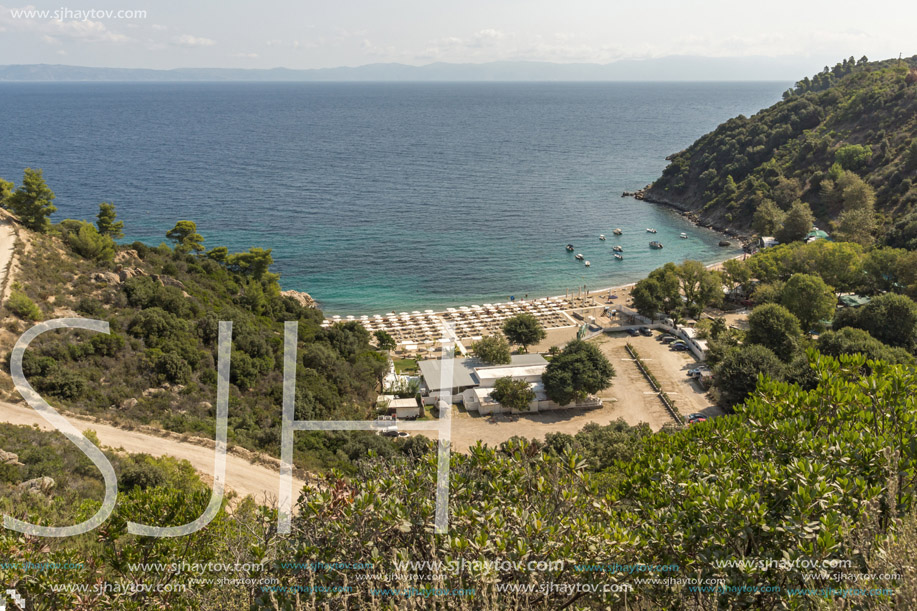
{"type": "Point", "coordinates": [852, 124]}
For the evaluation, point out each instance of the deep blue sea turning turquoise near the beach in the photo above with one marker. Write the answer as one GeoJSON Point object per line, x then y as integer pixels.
{"type": "Point", "coordinates": [378, 197]}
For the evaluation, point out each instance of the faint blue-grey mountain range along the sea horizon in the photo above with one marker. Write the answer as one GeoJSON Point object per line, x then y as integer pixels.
{"type": "Point", "coordinates": [676, 68]}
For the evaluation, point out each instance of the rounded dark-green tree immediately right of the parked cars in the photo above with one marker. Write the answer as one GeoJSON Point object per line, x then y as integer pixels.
{"type": "Point", "coordinates": [736, 376]}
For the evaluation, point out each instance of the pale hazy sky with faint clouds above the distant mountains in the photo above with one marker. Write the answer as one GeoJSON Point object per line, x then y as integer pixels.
{"type": "Point", "coordinates": [310, 34]}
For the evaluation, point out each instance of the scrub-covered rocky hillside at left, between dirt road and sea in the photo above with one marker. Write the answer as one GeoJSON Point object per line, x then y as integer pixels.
{"type": "Point", "coordinates": [163, 304]}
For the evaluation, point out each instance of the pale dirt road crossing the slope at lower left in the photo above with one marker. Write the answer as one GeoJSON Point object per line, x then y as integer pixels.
{"type": "Point", "coordinates": [243, 477]}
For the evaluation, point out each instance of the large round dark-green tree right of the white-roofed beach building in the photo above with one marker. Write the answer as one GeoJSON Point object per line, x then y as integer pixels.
{"type": "Point", "coordinates": [580, 369]}
